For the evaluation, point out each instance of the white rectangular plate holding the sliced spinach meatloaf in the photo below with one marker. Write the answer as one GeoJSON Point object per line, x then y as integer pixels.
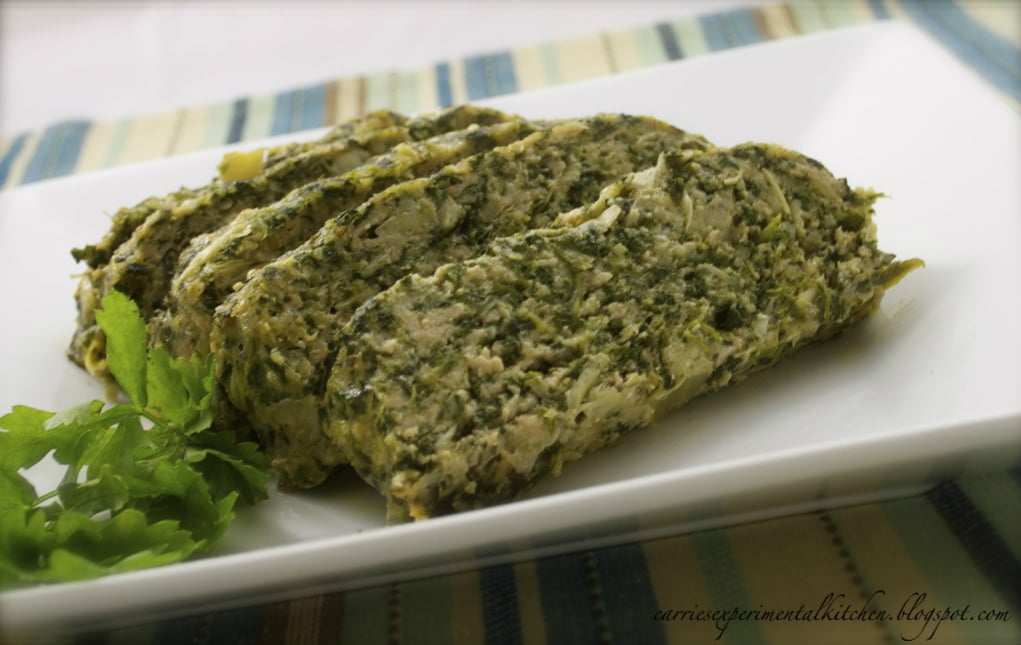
{"type": "Point", "coordinates": [928, 387]}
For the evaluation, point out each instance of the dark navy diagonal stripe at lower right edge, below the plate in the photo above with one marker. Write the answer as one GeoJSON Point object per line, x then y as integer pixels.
{"type": "Point", "coordinates": [981, 540]}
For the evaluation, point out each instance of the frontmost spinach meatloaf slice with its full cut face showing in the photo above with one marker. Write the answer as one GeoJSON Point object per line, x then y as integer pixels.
{"type": "Point", "coordinates": [461, 389]}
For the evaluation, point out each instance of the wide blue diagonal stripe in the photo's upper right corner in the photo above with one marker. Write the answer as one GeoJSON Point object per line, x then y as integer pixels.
{"type": "Point", "coordinates": [995, 59]}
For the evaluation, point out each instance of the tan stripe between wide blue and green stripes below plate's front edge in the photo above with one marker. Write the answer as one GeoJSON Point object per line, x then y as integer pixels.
{"type": "Point", "coordinates": [679, 586]}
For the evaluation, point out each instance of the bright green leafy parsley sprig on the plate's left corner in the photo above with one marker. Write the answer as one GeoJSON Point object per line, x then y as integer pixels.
{"type": "Point", "coordinates": [147, 483]}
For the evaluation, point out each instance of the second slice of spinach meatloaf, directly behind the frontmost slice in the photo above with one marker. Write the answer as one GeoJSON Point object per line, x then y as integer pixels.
{"type": "Point", "coordinates": [274, 337]}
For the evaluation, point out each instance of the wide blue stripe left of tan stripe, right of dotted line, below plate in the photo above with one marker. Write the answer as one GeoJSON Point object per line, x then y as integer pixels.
{"type": "Point", "coordinates": [628, 593]}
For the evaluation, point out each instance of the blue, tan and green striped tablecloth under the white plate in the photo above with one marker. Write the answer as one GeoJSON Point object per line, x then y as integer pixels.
{"type": "Point", "coordinates": [945, 566]}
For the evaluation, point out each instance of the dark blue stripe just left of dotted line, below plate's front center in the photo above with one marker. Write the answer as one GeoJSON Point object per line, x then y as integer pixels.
{"type": "Point", "coordinates": [567, 607]}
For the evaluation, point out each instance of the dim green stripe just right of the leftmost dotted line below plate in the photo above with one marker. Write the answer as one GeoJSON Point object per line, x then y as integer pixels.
{"type": "Point", "coordinates": [426, 615]}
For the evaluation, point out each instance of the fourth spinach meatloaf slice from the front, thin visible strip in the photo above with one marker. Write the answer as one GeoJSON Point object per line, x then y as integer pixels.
{"type": "Point", "coordinates": [143, 265]}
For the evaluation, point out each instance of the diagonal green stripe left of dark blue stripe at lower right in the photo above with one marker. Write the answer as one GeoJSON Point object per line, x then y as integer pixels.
{"type": "Point", "coordinates": [939, 555]}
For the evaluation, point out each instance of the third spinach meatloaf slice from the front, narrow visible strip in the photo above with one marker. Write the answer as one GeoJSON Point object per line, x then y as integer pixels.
{"type": "Point", "coordinates": [216, 263]}
